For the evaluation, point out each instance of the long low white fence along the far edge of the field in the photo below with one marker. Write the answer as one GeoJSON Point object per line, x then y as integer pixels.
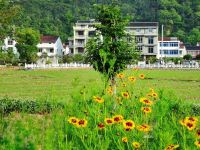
{"type": "Point", "coordinates": [80, 65]}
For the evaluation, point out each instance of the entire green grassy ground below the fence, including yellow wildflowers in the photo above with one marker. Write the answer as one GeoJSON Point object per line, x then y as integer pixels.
{"type": "Point", "coordinates": [159, 112]}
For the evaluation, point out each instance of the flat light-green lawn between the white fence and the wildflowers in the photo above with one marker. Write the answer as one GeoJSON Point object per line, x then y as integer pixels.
{"type": "Point", "coordinates": [62, 84]}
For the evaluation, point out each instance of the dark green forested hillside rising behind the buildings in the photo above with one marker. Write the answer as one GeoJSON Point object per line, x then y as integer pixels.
{"type": "Point", "coordinates": [180, 17]}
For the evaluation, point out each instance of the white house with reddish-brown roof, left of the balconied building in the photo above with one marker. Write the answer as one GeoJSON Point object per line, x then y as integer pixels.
{"type": "Point", "coordinates": [50, 49]}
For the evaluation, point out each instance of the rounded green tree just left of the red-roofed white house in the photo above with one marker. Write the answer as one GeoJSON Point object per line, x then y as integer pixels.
{"type": "Point", "coordinates": [27, 39]}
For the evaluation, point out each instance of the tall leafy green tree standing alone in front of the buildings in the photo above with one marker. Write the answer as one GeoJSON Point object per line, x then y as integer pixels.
{"type": "Point", "coordinates": [112, 48]}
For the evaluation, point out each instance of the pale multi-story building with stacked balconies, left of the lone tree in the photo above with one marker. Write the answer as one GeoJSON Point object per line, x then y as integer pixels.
{"type": "Point", "coordinates": [83, 30]}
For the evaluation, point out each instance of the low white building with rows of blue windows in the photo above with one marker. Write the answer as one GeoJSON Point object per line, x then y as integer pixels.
{"type": "Point", "coordinates": [170, 47]}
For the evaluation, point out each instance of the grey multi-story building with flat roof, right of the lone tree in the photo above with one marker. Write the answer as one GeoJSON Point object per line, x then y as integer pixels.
{"type": "Point", "coordinates": [146, 37]}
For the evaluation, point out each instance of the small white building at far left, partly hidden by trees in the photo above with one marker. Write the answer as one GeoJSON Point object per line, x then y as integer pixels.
{"type": "Point", "coordinates": [9, 43]}
